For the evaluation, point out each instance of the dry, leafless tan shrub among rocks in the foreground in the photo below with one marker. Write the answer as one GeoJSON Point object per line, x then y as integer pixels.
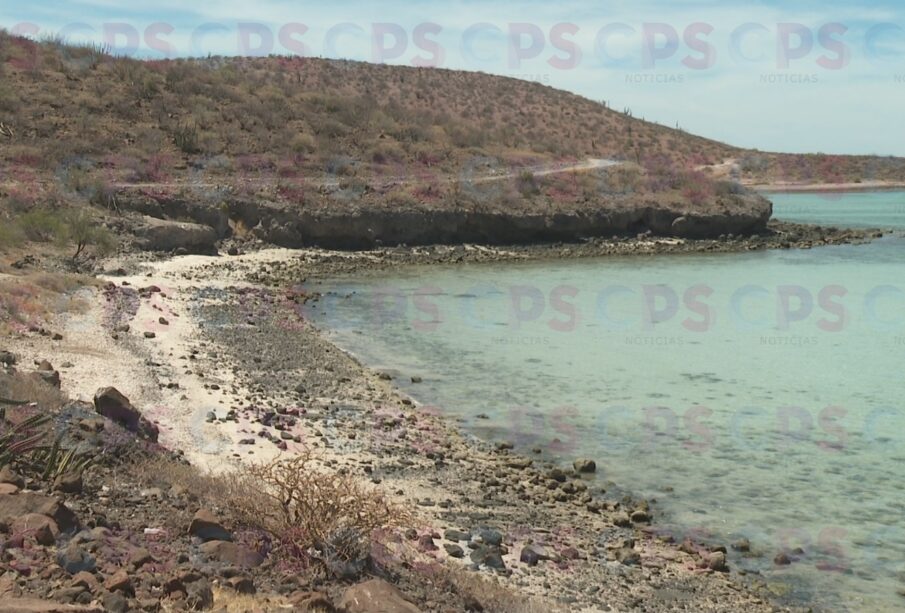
{"type": "Point", "coordinates": [315, 517]}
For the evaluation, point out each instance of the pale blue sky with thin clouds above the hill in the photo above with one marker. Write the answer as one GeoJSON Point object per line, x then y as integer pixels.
{"type": "Point", "coordinates": [806, 76]}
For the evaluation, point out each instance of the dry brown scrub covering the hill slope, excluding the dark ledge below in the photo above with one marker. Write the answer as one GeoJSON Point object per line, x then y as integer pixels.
{"type": "Point", "coordinates": [298, 121]}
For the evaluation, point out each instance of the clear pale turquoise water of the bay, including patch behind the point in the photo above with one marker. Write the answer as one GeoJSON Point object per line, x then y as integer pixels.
{"type": "Point", "coordinates": [754, 395]}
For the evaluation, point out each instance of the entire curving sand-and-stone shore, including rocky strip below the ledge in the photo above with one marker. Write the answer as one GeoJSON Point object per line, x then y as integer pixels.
{"type": "Point", "coordinates": [250, 359]}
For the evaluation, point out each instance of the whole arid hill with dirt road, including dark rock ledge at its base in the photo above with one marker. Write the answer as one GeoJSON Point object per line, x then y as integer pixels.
{"type": "Point", "coordinates": [377, 151]}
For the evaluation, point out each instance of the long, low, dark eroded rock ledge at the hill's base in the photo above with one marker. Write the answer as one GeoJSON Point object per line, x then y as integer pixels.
{"type": "Point", "coordinates": [365, 227]}
